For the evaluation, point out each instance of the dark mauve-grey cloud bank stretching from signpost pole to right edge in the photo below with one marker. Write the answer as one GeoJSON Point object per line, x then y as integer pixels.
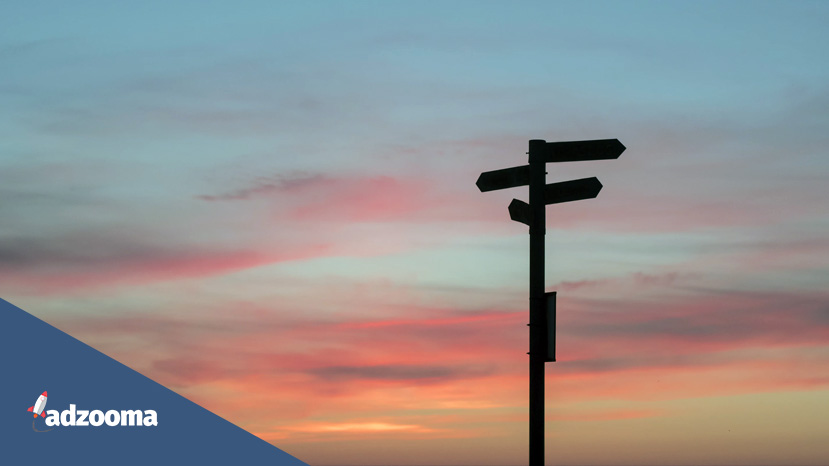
{"type": "Point", "coordinates": [710, 319]}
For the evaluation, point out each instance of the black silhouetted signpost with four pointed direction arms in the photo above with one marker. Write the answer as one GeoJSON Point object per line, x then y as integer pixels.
{"type": "Point", "coordinates": [542, 305]}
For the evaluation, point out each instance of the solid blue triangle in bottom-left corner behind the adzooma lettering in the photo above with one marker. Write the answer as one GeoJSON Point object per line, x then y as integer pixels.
{"type": "Point", "coordinates": [38, 358]}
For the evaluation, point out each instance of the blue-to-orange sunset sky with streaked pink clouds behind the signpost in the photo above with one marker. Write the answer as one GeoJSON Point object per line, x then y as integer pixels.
{"type": "Point", "coordinates": [270, 208]}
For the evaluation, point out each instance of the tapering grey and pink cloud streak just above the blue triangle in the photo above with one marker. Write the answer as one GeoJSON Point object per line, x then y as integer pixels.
{"type": "Point", "coordinates": [98, 260]}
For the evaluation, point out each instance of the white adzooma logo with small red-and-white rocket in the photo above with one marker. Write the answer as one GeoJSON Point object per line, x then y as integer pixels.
{"type": "Point", "coordinates": [83, 417]}
